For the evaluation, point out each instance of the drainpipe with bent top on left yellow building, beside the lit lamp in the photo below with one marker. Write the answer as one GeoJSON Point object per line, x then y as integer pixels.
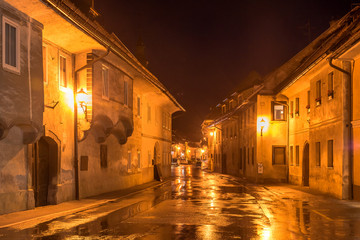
{"type": "Point", "coordinates": [76, 147]}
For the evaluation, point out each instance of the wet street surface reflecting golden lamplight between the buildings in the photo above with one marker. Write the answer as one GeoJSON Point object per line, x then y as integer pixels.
{"type": "Point", "coordinates": [201, 205]}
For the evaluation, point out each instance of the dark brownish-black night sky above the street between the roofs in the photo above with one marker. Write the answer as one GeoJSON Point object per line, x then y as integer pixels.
{"type": "Point", "coordinates": [202, 50]}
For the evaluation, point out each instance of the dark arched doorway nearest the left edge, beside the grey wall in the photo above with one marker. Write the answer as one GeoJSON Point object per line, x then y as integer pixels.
{"type": "Point", "coordinates": [45, 171]}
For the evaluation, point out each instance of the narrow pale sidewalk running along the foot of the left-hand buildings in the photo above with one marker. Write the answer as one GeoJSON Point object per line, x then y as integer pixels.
{"type": "Point", "coordinates": [50, 212]}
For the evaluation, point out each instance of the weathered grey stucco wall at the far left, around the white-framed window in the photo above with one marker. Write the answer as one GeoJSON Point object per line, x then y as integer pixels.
{"type": "Point", "coordinates": [21, 104]}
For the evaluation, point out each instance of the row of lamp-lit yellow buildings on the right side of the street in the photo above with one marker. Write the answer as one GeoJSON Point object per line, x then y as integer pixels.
{"type": "Point", "coordinates": [307, 118]}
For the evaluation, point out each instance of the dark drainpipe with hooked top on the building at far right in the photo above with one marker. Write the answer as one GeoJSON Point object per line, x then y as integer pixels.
{"type": "Point", "coordinates": [347, 131]}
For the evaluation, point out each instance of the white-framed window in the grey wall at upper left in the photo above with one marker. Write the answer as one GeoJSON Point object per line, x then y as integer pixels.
{"type": "Point", "coordinates": [11, 45]}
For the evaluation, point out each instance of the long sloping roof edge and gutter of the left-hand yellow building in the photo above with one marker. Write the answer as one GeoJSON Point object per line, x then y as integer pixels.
{"type": "Point", "coordinates": [105, 41]}
